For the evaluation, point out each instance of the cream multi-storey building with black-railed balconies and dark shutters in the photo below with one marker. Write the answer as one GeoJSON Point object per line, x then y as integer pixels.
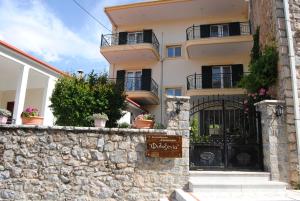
{"type": "Point", "coordinates": [183, 48]}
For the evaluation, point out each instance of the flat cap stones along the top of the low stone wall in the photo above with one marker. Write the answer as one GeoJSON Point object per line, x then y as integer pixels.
{"type": "Point", "coordinates": [73, 128]}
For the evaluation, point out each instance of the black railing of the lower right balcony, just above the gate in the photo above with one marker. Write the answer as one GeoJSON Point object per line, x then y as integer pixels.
{"type": "Point", "coordinates": [219, 80]}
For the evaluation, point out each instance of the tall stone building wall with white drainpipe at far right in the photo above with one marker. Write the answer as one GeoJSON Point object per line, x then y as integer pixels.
{"type": "Point", "coordinates": [269, 15]}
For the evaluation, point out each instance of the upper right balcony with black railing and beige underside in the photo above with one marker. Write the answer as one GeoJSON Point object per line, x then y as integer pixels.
{"type": "Point", "coordinates": [219, 40]}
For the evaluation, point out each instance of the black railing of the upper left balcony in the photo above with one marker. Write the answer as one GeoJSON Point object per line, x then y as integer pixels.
{"type": "Point", "coordinates": [121, 39]}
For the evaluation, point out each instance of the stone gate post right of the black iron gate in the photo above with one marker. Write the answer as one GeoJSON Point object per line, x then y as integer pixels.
{"type": "Point", "coordinates": [274, 140]}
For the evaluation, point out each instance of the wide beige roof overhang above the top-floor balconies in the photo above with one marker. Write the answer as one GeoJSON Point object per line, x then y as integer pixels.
{"type": "Point", "coordinates": [164, 10]}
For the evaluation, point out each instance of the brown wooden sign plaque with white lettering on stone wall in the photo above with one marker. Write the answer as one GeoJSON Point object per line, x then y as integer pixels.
{"type": "Point", "coordinates": [164, 146]}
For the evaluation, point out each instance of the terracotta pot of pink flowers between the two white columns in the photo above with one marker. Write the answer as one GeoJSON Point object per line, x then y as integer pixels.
{"type": "Point", "coordinates": [31, 117]}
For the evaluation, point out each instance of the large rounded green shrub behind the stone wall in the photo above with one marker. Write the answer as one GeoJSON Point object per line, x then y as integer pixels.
{"type": "Point", "coordinates": [75, 100]}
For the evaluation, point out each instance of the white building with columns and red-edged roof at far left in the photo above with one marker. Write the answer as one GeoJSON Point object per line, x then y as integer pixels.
{"type": "Point", "coordinates": [25, 81]}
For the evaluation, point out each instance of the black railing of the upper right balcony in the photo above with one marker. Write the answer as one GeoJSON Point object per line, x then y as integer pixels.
{"type": "Point", "coordinates": [218, 30]}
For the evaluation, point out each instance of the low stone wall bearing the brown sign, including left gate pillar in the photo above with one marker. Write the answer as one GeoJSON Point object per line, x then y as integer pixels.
{"type": "Point", "coordinates": [67, 163]}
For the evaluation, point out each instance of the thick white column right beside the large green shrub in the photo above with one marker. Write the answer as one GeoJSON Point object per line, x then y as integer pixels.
{"type": "Point", "coordinates": [46, 111]}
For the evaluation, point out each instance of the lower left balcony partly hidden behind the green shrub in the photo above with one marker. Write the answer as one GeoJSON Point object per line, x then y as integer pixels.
{"type": "Point", "coordinates": [143, 90]}
